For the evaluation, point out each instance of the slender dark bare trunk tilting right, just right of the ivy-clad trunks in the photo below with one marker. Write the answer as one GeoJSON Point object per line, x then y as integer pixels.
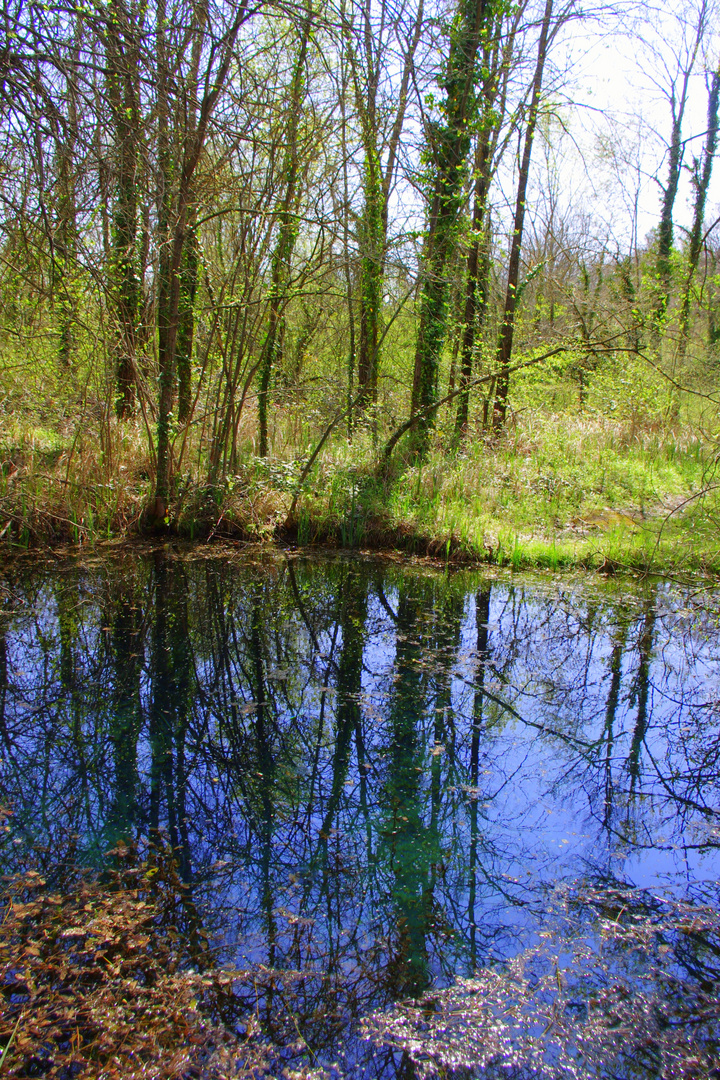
{"type": "Point", "coordinates": [505, 352]}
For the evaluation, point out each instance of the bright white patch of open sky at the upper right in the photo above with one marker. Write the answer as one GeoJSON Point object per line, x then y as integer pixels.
{"type": "Point", "coordinates": [620, 120]}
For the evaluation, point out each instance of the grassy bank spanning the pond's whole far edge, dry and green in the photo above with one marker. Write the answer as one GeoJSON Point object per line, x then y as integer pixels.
{"type": "Point", "coordinates": [555, 491]}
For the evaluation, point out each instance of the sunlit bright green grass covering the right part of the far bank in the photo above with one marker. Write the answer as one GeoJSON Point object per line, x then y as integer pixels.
{"type": "Point", "coordinates": [558, 492]}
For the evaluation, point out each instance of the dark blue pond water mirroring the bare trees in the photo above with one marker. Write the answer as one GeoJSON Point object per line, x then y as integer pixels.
{"type": "Point", "coordinates": [376, 775]}
